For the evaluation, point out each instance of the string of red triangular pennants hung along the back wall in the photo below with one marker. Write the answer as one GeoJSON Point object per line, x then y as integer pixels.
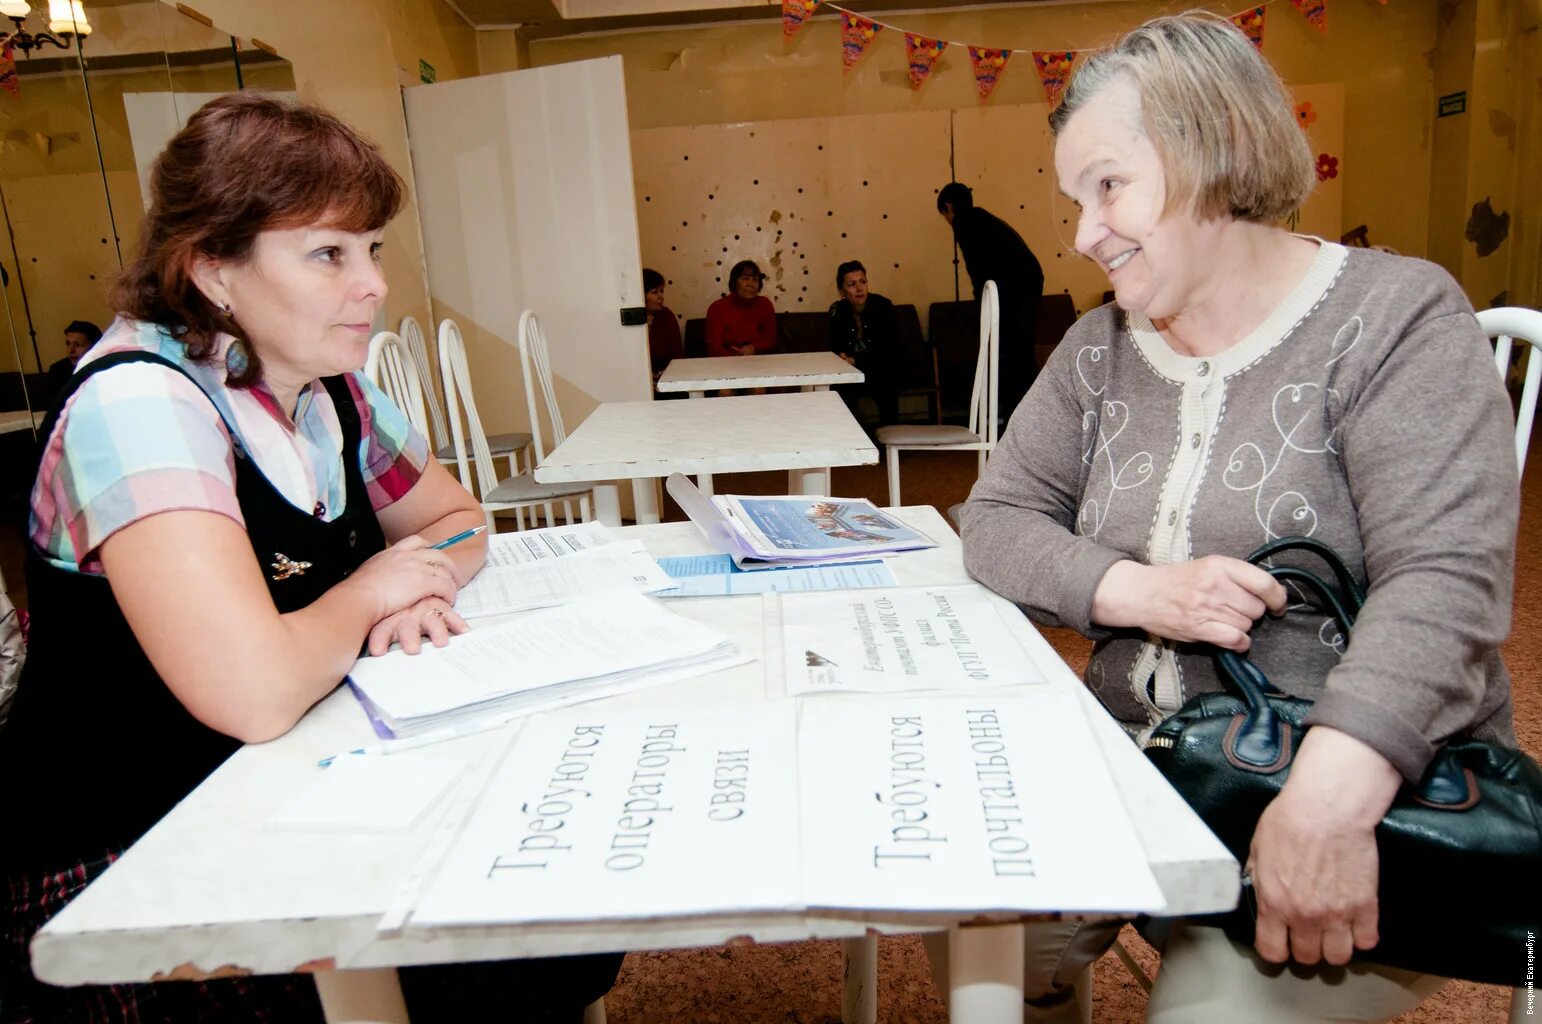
{"type": "Point", "coordinates": [989, 64]}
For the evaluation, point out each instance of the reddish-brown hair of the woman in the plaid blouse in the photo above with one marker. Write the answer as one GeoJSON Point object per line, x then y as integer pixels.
{"type": "Point", "coordinates": [246, 164]}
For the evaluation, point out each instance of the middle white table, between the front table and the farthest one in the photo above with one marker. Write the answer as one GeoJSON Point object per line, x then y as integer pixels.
{"type": "Point", "coordinates": [642, 442]}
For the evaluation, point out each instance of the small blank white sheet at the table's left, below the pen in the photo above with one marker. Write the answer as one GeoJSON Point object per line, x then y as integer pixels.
{"type": "Point", "coordinates": [369, 793]}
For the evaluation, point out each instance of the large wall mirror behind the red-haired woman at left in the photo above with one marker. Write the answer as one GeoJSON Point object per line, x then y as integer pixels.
{"type": "Point", "coordinates": [79, 127]}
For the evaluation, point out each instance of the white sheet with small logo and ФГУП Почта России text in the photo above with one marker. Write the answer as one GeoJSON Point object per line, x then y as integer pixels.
{"type": "Point", "coordinates": [901, 639]}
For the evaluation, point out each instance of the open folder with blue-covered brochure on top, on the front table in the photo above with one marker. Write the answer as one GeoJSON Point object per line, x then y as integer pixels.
{"type": "Point", "coordinates": [793, 530]}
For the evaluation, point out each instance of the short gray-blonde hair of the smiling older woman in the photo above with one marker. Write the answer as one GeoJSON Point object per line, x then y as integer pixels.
{"type": "Point", "coordinates": [1216, 112]}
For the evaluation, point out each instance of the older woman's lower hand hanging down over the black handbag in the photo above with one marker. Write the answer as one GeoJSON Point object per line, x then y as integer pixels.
{"type": "Point", "coordinates": [1315, 860]}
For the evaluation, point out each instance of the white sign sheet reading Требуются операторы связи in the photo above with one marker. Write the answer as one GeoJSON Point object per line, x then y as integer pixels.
{"type": "Point", "coordinates": [630, 815]}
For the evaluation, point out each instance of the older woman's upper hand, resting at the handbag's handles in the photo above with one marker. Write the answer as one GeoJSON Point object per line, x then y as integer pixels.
{"type": "Point", "coordinates": [1214, 599]}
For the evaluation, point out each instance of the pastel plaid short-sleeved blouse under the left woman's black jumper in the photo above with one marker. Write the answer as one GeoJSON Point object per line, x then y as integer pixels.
{"type": "Point", "coordinates": [143, 440]}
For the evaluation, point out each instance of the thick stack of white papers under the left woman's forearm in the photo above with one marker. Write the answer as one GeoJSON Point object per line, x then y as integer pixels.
{"type": "Point", "coordinates": [598, 647]}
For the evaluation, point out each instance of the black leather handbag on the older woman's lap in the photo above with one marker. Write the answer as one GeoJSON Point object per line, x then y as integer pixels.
{"type": "Point", "coordinates": [1461, 854]}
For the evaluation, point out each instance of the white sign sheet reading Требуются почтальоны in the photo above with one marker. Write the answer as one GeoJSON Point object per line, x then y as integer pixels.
{"type": "Point", "coordinates": [995, 803]}
